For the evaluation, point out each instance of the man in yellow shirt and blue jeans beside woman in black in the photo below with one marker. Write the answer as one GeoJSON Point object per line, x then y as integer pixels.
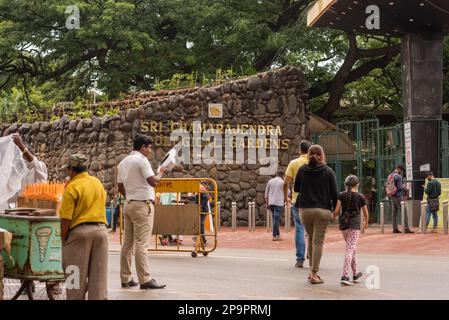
{"type": "Point", "coordinates": [290, 175]}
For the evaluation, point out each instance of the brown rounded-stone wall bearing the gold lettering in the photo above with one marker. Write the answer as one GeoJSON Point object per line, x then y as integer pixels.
{"type": "Point", "coordinates": [277, 98]}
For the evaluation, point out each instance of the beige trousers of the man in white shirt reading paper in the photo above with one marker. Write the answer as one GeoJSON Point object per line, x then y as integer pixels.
{"type": "Point", "coordinates": [138, 225]}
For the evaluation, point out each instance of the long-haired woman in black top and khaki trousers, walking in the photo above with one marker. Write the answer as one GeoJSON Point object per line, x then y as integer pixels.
{"type": "Point", "coordinates": [317, 188]}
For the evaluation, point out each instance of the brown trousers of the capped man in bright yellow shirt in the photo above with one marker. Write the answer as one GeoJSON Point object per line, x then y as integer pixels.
{"type": "Point", "coordinates": [87, 249]}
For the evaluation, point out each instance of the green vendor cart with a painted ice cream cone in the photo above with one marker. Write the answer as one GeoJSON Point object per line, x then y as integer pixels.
{"type": "Point", "coordinates": [34, 264]}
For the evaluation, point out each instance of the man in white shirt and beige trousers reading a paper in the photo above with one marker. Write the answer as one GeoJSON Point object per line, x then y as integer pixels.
{"type": "Point", "coordinates": [136, 181]}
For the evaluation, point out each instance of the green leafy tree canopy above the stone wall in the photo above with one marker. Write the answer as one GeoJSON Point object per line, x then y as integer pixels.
{"type": "Point", "coordinates": [131, 45]}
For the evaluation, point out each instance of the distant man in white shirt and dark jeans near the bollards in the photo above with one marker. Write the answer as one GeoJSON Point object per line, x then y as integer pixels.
{"type": "Point", "coordinates": [274, 199]}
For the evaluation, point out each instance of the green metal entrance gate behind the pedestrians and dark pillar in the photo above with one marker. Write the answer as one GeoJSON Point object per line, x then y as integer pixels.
{"type": "Point", "coordinates": [372, 152]}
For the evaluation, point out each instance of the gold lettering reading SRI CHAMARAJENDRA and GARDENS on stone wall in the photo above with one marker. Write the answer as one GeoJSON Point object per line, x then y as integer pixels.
{"type": "Point", "coordinates": [220, 143]}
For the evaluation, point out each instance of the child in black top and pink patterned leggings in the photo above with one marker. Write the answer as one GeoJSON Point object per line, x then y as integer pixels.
{"type": "Point", "coordinates": [351, 203]}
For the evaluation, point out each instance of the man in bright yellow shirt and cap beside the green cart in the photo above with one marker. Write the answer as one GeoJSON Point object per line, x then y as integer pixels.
{"type": "Point", "coordinates": [83, 232]}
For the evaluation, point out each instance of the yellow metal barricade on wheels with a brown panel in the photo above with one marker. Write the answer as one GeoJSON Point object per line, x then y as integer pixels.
{"type": "Point", "coordinates": [180, 219]}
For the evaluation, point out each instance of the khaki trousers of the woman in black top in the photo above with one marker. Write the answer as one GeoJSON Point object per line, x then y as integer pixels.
{"type": "Point", "coordinates": [315, 222]}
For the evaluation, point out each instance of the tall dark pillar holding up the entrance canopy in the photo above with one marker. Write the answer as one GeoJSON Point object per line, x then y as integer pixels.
{"type": "Point", "coordinates": [422, 84]}
